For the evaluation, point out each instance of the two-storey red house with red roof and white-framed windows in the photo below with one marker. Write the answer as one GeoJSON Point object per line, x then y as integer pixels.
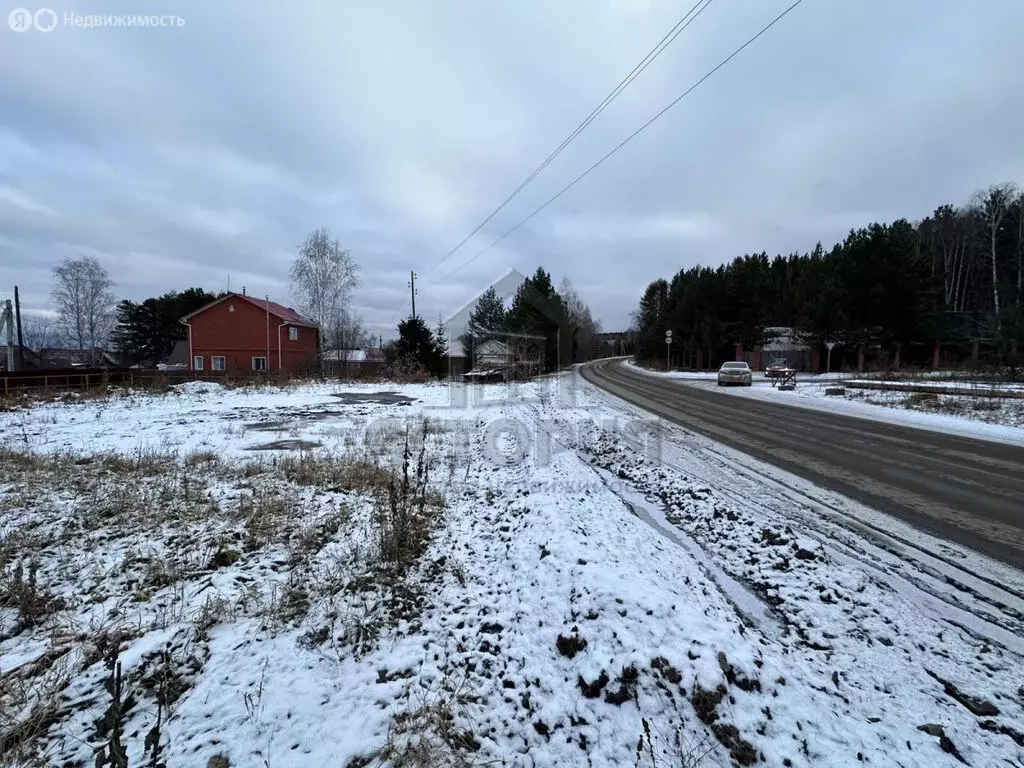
{"type": "Point", "coordinates": [242, 334]}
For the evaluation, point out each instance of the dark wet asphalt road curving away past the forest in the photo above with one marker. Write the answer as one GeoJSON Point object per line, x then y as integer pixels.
{"type": "Point", "coordinates": [970, 492]}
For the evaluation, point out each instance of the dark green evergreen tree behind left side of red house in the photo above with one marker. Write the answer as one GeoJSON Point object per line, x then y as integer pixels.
{"type": "Point", "coordinates": [147, 331]}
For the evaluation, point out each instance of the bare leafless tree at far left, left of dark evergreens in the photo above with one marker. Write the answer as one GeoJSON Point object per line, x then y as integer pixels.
{"type": "Point", "coordinates": [84, 297]}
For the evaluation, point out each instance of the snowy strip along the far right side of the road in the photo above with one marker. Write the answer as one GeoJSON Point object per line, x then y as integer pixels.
{"type": "Point", "coordinates": [984, 418]}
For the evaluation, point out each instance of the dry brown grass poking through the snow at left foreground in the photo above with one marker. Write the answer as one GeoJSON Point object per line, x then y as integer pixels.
{"type": "Point", "coordinates": [345, 536]}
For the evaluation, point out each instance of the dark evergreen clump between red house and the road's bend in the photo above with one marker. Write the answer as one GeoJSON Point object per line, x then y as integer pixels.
{"type": "Point", "coordinates": [547, 327]}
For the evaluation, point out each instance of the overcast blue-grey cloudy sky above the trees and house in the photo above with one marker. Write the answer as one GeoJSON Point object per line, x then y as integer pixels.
{"type": "Point", "coordinates": [194, 155]}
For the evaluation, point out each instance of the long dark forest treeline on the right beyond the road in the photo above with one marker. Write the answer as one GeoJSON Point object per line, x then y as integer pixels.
{"type": "Point", "coordinates": [955, 278]}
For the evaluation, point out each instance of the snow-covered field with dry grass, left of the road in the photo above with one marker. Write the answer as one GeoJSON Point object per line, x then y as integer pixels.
{"type": "Point", "coordinates": [580, 585]}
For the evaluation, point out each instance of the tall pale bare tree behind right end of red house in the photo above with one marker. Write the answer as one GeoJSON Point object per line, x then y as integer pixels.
{"type": "Point", "coordinates": [324, 277]}
